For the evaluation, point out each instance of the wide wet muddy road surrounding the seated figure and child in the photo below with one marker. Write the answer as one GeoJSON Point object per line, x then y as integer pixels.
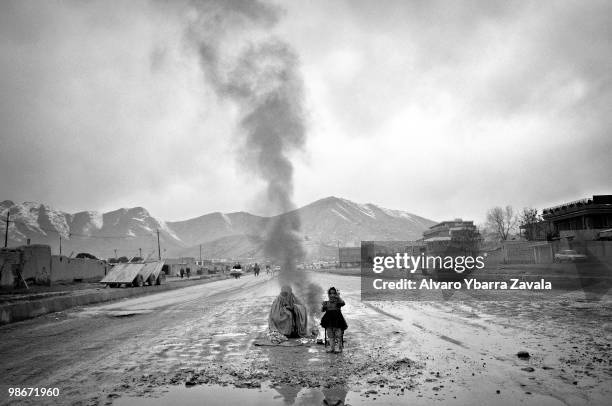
{"type": "Point", "coordinates": [200, 345]}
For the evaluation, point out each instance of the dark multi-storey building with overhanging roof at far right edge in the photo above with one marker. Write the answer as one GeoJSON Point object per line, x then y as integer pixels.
{"type": "Point", "coordinates": [580, 219]}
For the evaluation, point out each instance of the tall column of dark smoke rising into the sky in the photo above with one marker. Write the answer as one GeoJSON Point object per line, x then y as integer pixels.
{"type": "Point", "coordinates": [264, 81]}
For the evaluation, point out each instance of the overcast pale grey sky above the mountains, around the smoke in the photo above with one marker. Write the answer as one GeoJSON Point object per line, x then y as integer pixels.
{"type": "Point", "coordinates": [443, 109]}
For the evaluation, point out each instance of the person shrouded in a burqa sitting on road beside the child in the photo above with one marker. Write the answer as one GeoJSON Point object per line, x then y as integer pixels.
{"type": "Point", "coordinates": [288, 315]}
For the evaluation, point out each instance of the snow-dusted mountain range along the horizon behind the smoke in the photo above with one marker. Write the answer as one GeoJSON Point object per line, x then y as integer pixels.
{"type": "Point", "coordinates": [325, 224]}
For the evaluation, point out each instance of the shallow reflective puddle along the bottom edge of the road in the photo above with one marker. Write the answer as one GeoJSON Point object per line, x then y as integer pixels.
{"type": "Point", "coordinates": [213, 395]}
